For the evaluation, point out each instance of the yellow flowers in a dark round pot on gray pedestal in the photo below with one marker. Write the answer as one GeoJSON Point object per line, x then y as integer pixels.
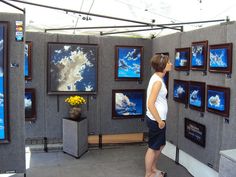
{"type": "Point", "coordinates": [74, 102]}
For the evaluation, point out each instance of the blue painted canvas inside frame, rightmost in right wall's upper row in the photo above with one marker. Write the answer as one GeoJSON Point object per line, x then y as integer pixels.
{"type": "Point", "coordinates": [218, 58]}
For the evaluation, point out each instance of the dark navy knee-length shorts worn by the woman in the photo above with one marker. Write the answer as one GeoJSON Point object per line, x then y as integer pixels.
{"type": "Point", "coordinates": [156, 136]}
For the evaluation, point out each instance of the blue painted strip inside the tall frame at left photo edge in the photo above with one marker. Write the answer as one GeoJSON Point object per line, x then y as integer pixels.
{"type": "Point", "coordinates": [2, 113]}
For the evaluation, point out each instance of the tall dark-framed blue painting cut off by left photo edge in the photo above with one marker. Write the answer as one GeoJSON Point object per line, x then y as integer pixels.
{"type": "Point", "coordinates": [4, 115]}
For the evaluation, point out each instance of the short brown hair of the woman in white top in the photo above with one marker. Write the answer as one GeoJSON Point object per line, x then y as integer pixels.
{"type": "Point", "coordinates": [159, 62]}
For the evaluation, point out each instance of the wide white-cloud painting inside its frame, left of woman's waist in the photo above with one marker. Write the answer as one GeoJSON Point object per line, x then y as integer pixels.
{"type": "Point", "coordinates": [129, 103]}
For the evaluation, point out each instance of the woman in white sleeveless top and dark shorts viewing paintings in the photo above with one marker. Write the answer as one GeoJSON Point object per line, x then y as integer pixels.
{"type": "Point", "coordinates": [156, 114]}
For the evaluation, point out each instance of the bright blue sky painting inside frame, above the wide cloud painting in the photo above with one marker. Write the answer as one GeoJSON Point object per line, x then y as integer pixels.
{"type": "Point", "coordinates": [129, 62]}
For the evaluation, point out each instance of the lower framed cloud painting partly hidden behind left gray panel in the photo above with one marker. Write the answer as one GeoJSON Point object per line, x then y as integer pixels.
{"type": "Point", "coordinates": [30, 108]}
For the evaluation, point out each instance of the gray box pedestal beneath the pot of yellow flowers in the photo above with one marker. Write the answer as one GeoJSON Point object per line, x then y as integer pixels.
{"type": "Point", "coordinates": [75, 136]}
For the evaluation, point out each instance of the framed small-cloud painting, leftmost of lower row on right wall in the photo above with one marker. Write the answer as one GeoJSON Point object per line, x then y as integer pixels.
{"type": "Point", "coordinates": [180, 91]}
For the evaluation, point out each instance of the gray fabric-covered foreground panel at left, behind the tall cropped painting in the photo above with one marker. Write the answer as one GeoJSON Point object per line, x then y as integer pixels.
{"type": "Point", "coordinates": [14, 152]}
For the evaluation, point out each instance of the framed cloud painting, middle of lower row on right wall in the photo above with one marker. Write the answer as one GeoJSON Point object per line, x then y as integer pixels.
{"type": "Point", "coordinates": [196, 98]}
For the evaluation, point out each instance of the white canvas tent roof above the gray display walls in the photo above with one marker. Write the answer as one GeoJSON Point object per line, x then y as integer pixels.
{"type": "Point", "coordinates": [146, 15]}
